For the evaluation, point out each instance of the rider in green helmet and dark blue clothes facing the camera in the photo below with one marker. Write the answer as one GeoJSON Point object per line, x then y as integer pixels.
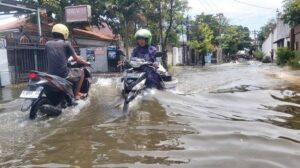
{"type": "Point", "coordinates": [147, 52]}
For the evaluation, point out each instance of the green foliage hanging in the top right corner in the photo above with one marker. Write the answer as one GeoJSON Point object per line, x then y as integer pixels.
{"type": "Point", "coordinates": [291, 12]}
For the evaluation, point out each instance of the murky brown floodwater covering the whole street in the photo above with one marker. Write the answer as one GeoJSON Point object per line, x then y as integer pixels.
{"type": "Point", "coordinates": [233, 115]}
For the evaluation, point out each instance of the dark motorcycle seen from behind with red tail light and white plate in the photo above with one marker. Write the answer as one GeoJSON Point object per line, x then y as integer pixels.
{"type": "Point", "coordinates": [47, 95]}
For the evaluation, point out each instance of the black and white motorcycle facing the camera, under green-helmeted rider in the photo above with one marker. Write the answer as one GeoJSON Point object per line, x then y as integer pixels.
{"type": "Point", "coordinates": [133, 81]}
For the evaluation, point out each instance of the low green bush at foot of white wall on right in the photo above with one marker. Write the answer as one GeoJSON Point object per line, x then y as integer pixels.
{"type": "Point", "coordinates": [284, 55]}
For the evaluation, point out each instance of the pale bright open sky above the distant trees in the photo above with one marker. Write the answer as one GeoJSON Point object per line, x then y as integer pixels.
{"type": "Point", "coordinates": [254, 14]}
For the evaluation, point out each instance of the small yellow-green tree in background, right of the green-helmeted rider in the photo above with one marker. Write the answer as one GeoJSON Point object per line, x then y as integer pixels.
{"type": "Point", "coordinates": [203, 38]}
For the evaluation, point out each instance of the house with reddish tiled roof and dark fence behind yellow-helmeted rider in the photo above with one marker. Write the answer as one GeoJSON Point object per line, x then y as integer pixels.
{"type": "Point", "coordinates": [23, 48]}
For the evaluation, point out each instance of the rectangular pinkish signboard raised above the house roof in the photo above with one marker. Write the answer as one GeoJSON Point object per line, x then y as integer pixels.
{"type": "Point", "coordinates": [81, 13]}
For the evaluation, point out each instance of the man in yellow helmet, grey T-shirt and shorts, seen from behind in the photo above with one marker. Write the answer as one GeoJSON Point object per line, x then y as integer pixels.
{"type": "Point", "coordinates": [58, 51]}
